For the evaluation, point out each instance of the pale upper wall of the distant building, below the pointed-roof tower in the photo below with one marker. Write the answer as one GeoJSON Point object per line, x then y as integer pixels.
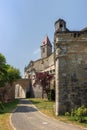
{"type": "Point", "coordinates": [41, 65]}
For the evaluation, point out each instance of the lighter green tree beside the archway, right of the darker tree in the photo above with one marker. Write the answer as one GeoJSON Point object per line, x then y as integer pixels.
{"type": "Point", "coordinates": [13, 74]}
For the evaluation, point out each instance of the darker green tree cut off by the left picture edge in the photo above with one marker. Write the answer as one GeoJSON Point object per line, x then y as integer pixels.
{"type": "Point", "coordinates": [3, 70]}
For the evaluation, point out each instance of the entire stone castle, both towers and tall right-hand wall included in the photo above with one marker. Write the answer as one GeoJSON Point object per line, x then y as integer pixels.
{"type": "Point", "coordinates": [68, 62]}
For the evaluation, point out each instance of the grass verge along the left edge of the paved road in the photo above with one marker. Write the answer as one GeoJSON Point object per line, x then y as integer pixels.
{"type": "Point", "coordinates": [4, 117]}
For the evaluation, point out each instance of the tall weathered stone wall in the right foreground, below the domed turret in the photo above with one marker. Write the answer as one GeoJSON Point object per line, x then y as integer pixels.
{"type": "Point", "coordinates": [71, 59]}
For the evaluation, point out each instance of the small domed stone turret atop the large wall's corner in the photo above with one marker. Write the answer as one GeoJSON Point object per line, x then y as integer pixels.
{"type": "Point", "coordinates": [60, 25]}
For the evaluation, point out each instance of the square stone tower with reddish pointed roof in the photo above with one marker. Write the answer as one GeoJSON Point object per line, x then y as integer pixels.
{"type": "Point", "coordinates": [46, 48]}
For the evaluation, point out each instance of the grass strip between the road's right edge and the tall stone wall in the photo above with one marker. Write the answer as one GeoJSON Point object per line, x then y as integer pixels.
{"type": "Point", "coordinates": [47, 108]}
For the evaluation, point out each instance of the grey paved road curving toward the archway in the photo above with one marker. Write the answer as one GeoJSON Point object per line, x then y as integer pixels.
{"type": "Point", "coordinates": [27, 117]}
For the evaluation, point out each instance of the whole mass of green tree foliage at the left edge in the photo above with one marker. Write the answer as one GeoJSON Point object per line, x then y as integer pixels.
{"type": "Point", "coordinates": [7, 72]}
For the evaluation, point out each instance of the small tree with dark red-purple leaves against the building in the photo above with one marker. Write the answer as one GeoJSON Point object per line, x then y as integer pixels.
{"type": "Point", "coordinates": [43, 78]}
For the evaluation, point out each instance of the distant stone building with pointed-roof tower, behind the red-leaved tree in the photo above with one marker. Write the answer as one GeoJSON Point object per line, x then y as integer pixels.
{"type": "Point", "coordinates": [44, 64]}
